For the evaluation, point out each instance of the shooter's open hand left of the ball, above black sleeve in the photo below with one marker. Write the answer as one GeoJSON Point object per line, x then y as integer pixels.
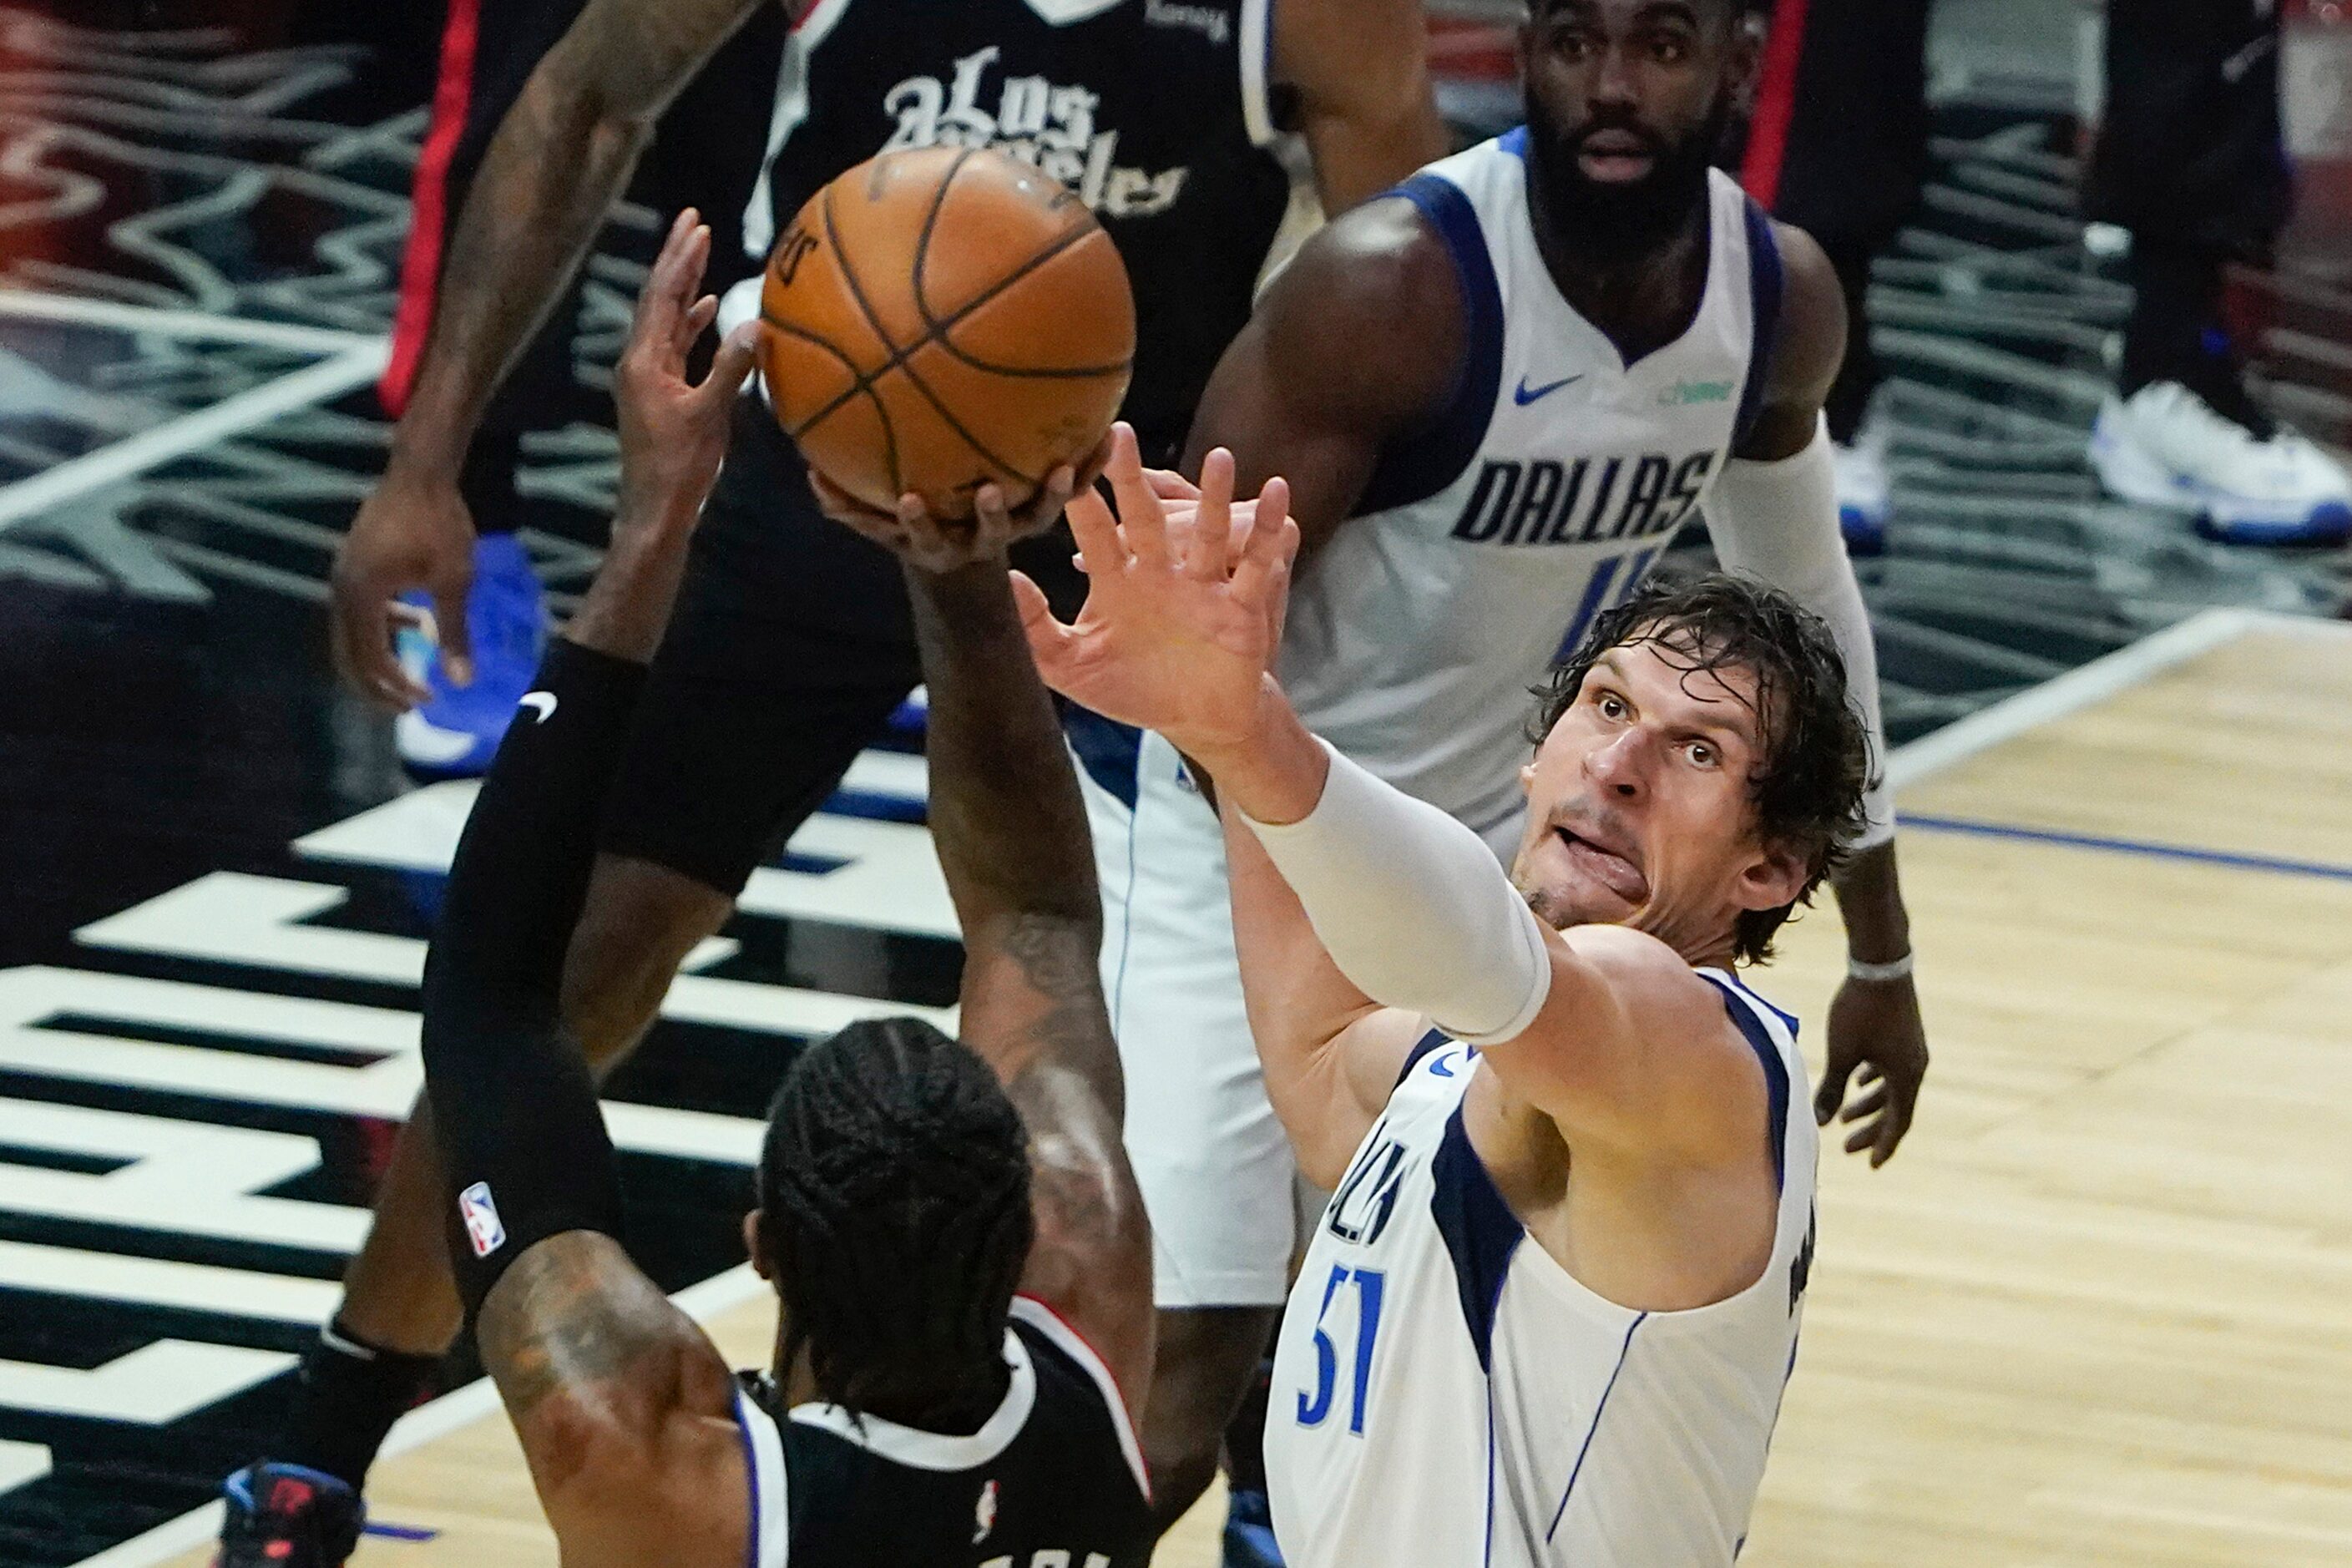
{"type": "Point", "coordinates": [674, 434]}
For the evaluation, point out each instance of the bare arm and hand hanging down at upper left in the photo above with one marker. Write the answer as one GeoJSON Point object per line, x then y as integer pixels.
{"type": "Point", "coordinates": [547, 182]}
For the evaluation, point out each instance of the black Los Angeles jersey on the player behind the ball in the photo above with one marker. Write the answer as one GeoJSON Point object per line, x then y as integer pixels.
{"type": "Point", "coordinates": [1156, 112]}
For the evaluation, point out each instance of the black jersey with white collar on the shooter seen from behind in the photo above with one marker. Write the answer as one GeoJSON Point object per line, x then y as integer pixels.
{"type": "Point", "coordinates": [1053, 1480]}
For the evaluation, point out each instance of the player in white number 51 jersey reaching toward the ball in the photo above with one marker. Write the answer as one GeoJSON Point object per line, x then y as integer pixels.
{"type": "Point", "coordinates": [1553, 1301]}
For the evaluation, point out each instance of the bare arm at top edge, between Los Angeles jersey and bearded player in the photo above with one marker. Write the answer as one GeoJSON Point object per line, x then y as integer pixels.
{"type": "Point", "coordinates": [1363, 79]}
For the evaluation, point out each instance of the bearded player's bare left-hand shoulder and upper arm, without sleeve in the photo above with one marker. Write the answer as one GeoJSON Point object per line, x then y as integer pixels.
{"type": "Point", "coordinates": [1351, 347]}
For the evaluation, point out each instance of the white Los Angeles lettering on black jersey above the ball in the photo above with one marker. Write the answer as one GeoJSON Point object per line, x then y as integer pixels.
{"type": "Point", "coordinates": [1034, 121]}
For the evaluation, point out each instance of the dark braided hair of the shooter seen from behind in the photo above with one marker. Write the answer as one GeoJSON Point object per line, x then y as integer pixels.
{"type": "Point", "coordinates": [895, 1217]}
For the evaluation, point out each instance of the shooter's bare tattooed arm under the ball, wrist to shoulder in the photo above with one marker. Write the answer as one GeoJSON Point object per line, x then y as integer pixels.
{"type": "Point", "coordinates": [1013, 840]}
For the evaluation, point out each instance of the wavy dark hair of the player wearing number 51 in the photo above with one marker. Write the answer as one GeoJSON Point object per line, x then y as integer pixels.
{"type": "Point", "coordinates": [1817, 753]}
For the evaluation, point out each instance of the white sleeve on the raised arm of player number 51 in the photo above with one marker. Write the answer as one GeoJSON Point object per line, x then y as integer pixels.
{"type": "Point", "coordinates": [1415, 909]}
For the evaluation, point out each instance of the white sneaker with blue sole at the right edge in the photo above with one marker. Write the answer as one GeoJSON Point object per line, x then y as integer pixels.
{"type": "Point", "coordinates": [2170, 448]}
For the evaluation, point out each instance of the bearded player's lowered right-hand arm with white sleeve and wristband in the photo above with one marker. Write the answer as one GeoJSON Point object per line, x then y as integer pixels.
{"type": "Point", "coordinates": [1775, 516]}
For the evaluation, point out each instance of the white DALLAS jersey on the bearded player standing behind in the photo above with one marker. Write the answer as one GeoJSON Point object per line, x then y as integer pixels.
{"type": "Point", "coordinates": [1551, 483]}
